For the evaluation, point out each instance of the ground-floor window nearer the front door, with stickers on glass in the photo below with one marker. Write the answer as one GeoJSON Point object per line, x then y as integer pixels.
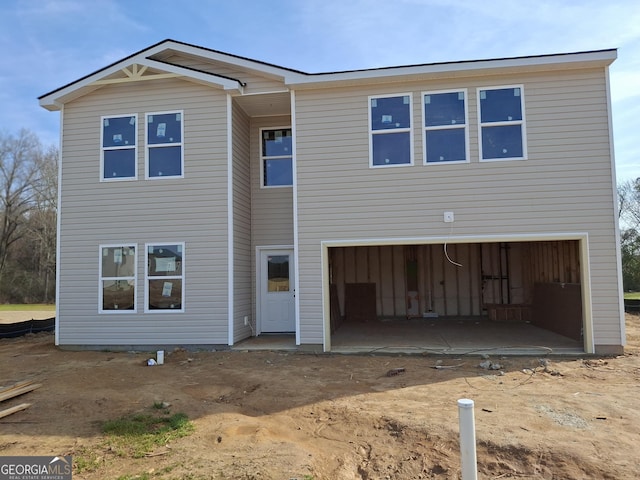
{"type": "Point", "coordinates": [165, 277]}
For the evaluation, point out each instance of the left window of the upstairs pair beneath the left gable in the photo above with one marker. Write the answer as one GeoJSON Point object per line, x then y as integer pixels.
{"type": "Point", "coordinates": [118, 147]}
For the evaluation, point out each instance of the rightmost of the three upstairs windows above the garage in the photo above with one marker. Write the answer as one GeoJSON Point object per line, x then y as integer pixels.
{"type": "Point", "coordinates": [501, 123]}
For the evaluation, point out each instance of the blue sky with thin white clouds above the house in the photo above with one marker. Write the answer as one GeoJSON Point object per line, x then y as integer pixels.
{"type": "Point", "coordinates": [49, 43]}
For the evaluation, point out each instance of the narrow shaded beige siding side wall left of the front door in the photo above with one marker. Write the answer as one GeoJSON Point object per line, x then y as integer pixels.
{"type": "Point", "coordinates": [242, 257]}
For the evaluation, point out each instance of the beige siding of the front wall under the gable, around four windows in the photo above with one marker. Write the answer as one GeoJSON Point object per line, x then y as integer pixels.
{"type": "Point", "coordinates": [191, 210]}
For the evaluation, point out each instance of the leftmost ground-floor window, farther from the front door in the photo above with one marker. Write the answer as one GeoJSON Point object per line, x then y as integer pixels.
{"type": "Point", "coordinates": [117, 279]}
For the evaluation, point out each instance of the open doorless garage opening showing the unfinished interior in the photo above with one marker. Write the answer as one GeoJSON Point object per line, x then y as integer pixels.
{"type": "Point", "coordinates": [507, 296]}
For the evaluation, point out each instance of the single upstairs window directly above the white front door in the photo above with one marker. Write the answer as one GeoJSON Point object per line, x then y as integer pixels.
{"type": "Point", "coordinates": [277, 157]}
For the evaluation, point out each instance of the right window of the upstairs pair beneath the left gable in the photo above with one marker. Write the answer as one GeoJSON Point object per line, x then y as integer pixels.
{"type": "Point", "coordinates": [164, 144]}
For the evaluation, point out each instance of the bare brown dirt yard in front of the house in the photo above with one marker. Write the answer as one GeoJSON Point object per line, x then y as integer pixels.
{"type": "Point", "coordinates": [275, 415]}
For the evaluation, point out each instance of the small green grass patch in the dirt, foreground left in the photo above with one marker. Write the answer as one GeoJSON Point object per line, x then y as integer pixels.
{"type": "Point", "coordinates": [139, 434]}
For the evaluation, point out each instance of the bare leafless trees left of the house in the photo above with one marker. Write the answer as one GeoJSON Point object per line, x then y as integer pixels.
{"type": "Point", "coordinates": [28, 210]}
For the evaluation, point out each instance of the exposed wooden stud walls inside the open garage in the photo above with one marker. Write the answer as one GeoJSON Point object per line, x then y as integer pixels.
{"type": "Point", "coordinates": [490, 273]}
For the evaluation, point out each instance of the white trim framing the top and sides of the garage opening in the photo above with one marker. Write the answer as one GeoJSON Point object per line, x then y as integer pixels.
{"type": "Point", "coordinates": [582, 237]}
